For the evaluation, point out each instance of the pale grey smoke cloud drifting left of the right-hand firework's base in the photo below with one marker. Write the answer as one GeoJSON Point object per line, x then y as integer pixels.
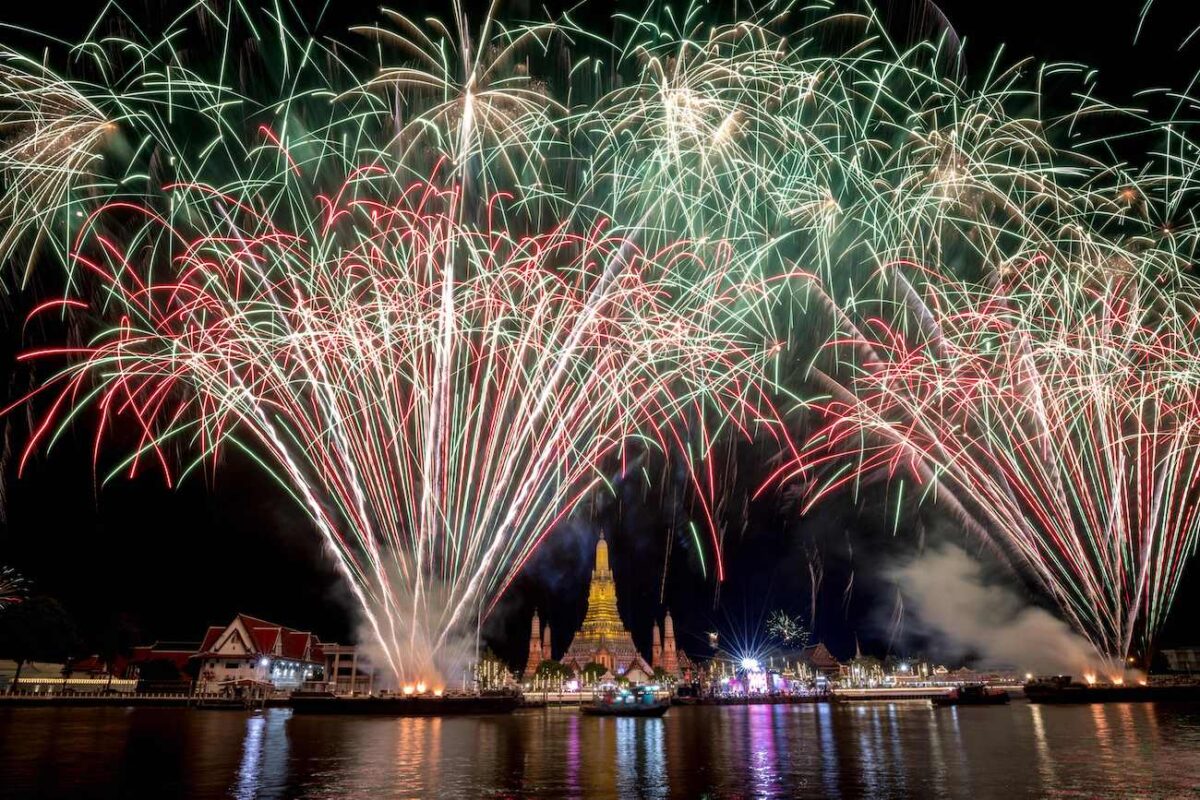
{"type": "Point", "coordinates": [946, 593]}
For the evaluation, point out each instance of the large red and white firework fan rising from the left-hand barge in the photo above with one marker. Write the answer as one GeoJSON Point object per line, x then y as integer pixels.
{"type": "Point", "coordinates": [338, 369]}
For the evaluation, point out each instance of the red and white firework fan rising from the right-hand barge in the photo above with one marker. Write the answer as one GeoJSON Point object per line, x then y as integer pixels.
{"type": "Point", "coordinates": [1063, 411]}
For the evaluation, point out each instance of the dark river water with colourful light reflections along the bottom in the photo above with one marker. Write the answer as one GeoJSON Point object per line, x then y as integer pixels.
{"type": "Point", "coordinates": [903, 750]}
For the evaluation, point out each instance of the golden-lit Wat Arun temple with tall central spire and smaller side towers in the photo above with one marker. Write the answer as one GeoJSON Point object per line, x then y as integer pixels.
{"type": "Point", "coordinates": [603, 637]}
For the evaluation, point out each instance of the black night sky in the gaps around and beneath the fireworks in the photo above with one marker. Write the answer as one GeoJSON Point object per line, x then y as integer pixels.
{"type": "Point", "coordinates": [182, 560]}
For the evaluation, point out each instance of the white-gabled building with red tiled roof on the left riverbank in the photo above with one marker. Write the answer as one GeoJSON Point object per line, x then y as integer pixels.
{"type": "Point", "coordinates": [254, 653]}
